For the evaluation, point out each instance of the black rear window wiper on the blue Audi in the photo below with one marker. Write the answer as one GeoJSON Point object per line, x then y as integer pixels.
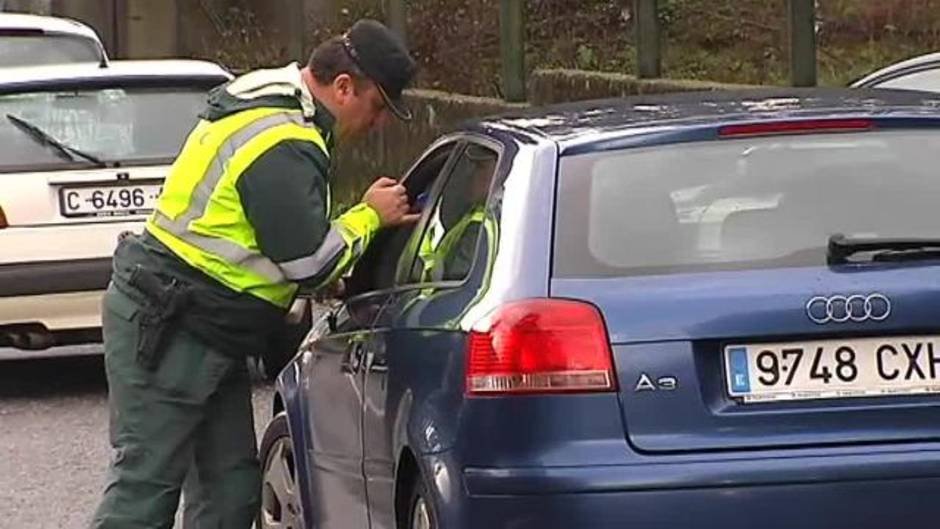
{"type": "Point", "coordinates": [840, 248]}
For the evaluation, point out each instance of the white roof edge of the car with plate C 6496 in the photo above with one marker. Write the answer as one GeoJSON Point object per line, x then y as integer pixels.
{"type": "Point", "coordinates": [32, 77]}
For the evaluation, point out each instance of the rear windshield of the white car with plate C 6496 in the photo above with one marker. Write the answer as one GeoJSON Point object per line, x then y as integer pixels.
{"type": "Point", "coordinates": [125, 125]}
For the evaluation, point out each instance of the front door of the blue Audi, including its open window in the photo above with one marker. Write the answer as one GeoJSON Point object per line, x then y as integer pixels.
{"type": "Point", "coordinates": [333, 375]}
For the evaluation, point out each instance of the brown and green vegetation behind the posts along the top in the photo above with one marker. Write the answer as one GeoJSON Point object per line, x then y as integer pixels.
{"type": "Point", "coordinates": [740, 41]}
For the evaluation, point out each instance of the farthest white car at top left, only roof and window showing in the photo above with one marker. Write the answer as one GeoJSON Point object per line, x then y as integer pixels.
{"type": "Point", "coordinates": [32, 40]}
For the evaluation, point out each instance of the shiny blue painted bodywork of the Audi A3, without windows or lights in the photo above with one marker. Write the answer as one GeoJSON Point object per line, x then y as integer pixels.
{"type": "Point", "coordinates": [565, 461]}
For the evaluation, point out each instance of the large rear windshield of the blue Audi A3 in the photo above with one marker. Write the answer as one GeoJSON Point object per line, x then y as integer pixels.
{"type": "Point", "coordinates": [741, 204]}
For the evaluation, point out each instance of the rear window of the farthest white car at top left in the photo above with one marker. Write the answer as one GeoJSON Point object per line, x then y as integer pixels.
{"type": "Point", "coordinates": [35, 50]}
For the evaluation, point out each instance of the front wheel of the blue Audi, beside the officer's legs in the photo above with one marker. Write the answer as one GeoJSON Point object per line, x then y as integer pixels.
{"type": "Point", "coordinates": [280, 498]}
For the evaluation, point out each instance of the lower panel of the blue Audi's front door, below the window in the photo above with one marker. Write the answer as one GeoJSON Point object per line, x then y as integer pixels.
{"type": "Point", "coordinates": [332, 387]}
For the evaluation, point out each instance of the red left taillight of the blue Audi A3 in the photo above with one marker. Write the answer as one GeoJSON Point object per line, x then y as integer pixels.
{"type": "Point", "coordinates": [540, 346]}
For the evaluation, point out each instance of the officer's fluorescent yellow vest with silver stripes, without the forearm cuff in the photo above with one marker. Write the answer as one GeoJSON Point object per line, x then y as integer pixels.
{"type": "Point", "coordinates": [203, 221]}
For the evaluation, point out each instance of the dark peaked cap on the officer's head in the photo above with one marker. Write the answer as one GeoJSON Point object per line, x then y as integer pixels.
{"type": "Point", "coordinates": [383, 57]}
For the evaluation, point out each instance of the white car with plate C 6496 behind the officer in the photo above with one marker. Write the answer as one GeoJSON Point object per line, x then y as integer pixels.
{"type": "Point", "coordinates": [83, 153]}
